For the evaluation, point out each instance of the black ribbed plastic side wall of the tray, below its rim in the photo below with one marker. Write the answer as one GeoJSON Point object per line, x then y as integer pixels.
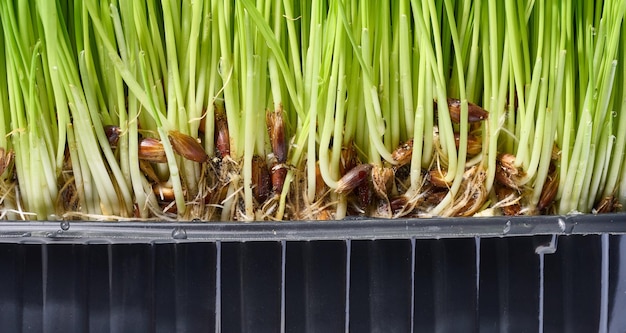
{"type": "Point", "coordinates": [533, 284]}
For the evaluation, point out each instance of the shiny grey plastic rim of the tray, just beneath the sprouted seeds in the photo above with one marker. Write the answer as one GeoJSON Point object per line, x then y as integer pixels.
{"type": "Point", "coordinates": [87, 232]}
